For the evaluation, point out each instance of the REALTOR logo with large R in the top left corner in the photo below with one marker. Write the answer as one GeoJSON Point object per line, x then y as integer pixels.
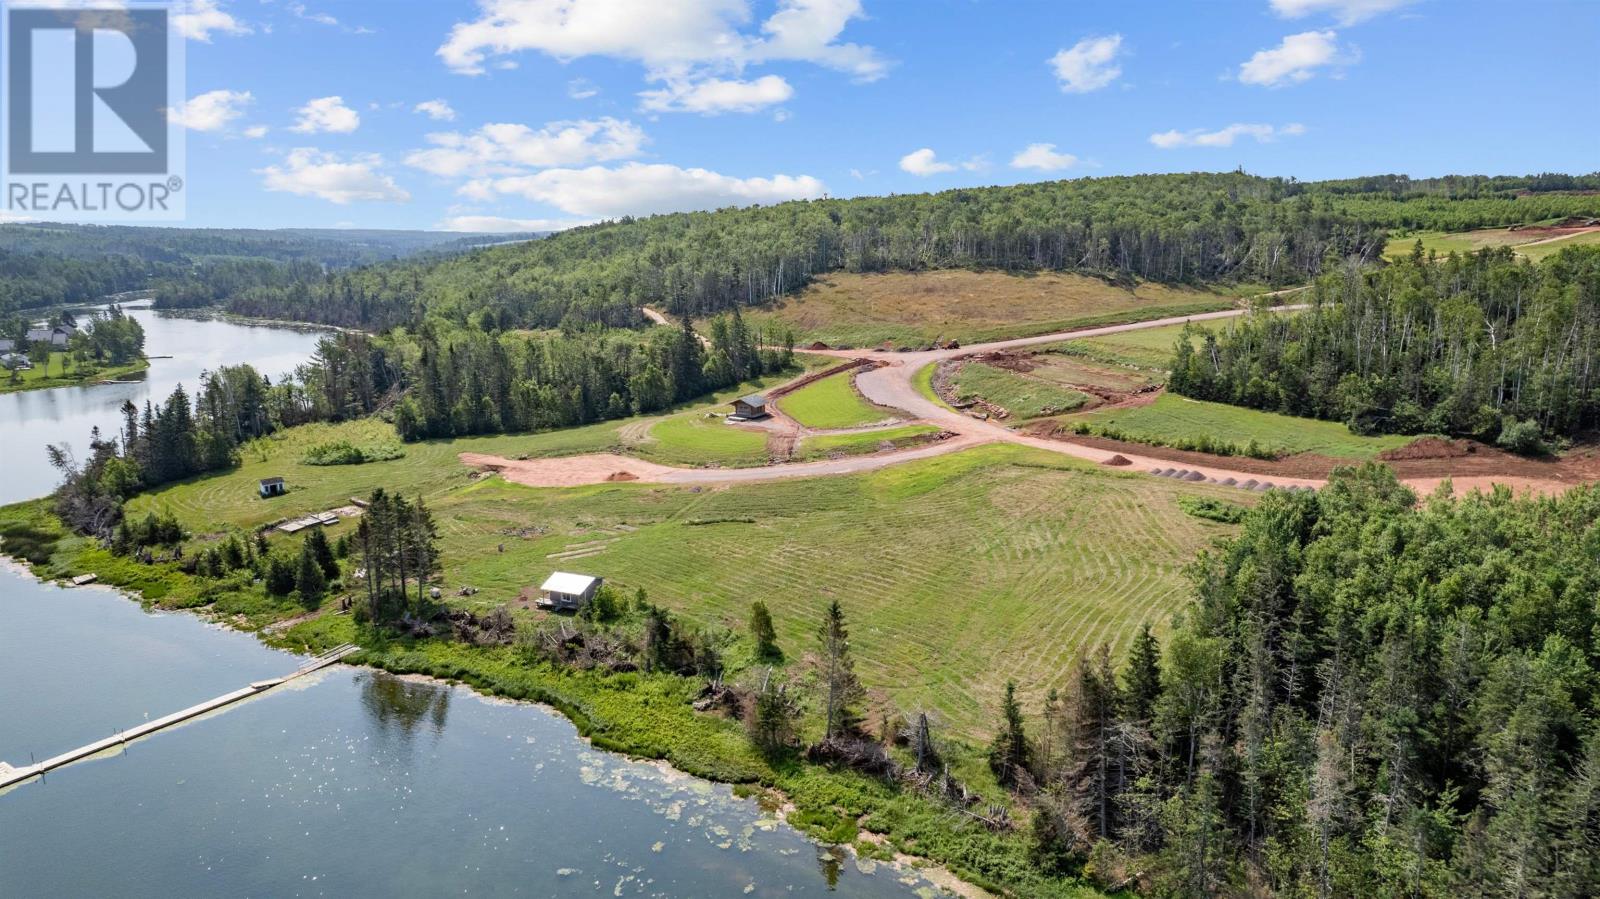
{"type": "Point", "coordinates": [87, 129]}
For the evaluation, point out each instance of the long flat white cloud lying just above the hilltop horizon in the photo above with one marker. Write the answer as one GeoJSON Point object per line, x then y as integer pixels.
{"type": "Point", "coordinates": [638, 190]}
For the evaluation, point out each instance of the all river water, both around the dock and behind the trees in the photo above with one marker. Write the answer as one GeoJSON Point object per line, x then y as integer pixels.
{"type": "Point", "coordinates": [350, 783]}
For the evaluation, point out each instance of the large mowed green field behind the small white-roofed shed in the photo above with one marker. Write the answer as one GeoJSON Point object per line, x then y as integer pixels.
{"type": "Point", "coordinates": [958, 573]}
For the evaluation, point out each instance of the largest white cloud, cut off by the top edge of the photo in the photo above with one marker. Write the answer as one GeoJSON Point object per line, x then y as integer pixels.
{"type": "Point", "coordinates": [665, 38]}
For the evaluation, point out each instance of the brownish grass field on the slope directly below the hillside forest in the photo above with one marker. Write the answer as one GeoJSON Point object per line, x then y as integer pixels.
{"type": "Point", "coordinates": [916, 310]}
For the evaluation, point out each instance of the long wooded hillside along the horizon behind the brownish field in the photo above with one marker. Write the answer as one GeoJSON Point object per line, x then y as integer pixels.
{"type": "Point", "coordinates": [1164, 228]}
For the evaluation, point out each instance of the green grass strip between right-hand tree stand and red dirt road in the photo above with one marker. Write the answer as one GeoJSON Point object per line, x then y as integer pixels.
{"type": "Point", "coordinates": [1180, 418]}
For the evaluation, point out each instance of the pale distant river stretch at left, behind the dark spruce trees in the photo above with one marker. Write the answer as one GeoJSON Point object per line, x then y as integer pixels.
{"type": "Point", "coordinates": [33, 420]}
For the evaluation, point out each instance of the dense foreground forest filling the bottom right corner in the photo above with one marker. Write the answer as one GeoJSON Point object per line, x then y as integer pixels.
{"type": "Point", "coordinates": [1370, 697]}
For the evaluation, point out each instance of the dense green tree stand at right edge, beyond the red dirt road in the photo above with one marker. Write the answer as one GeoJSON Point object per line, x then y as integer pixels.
{"type": "Point", "coordinates": [1481, 346]}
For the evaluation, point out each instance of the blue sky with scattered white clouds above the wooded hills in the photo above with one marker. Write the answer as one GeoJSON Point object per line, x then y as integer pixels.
{"type": "Point", "coordinates": [498, 114]}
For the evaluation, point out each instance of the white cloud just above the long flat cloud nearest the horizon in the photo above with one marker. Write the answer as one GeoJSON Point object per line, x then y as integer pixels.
{"type": "Point", "coordinates": [506, 148]}
